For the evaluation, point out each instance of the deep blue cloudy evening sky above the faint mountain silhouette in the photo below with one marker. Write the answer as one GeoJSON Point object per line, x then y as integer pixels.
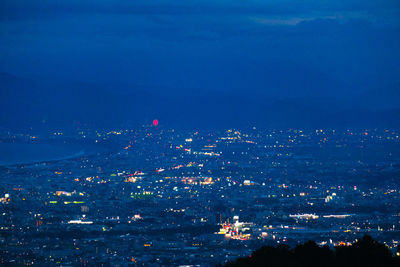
{"type": "Point", "coordinates": [277, 49]}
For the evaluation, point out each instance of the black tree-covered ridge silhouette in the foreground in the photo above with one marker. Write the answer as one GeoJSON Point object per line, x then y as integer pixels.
{"type": "Point", "coordinates": [365, 252]}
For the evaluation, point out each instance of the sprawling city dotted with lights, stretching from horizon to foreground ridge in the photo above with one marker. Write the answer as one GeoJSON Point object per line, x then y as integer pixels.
{"type": "Point", "coordinates": [157, 196]}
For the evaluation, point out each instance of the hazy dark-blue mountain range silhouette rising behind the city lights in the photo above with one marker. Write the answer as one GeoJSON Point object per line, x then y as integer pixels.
{"type": "Point", "coordinates": [41, 102]}
